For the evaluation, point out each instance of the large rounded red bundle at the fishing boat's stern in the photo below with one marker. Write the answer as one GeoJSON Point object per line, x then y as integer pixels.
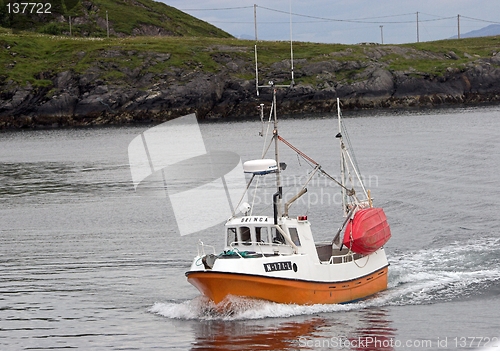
{"type": "Point", "coordinates": [367, 231]}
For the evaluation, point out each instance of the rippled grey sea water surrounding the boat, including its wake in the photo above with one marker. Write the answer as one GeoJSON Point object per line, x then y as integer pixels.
{"type": "Point", "coordinates": [88, 263]}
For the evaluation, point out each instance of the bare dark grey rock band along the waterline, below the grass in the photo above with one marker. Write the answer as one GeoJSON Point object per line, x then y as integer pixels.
{"type": "Point", "coordinates": [88, 98]}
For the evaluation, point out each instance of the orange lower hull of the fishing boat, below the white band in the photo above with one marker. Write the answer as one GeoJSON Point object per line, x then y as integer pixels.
{"type": "Point", "coordinates": [218, 285]}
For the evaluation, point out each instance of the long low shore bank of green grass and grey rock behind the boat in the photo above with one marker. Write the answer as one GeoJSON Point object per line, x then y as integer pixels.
{"type": "Point", "coordinates": [60, 81]}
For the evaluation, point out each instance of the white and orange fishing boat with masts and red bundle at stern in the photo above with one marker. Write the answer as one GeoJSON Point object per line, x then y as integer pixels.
{"type": "Point", "coordinates": [274, 257]}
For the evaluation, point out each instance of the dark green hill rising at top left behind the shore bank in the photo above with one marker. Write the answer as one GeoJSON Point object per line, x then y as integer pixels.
{"type": "Point", "coordinates": [88, 18]}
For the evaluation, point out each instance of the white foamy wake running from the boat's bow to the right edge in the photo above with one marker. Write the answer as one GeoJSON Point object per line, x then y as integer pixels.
{"type": "Point", "coordinates": [426, 276]}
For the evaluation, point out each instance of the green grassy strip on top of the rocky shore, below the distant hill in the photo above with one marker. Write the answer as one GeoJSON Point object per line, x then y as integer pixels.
{"type": "Point", "coordinates": [31, 58]}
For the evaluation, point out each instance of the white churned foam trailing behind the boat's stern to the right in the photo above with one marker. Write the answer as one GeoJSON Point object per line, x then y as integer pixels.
{"type": "Point", "coordinates": [430, 275]}
